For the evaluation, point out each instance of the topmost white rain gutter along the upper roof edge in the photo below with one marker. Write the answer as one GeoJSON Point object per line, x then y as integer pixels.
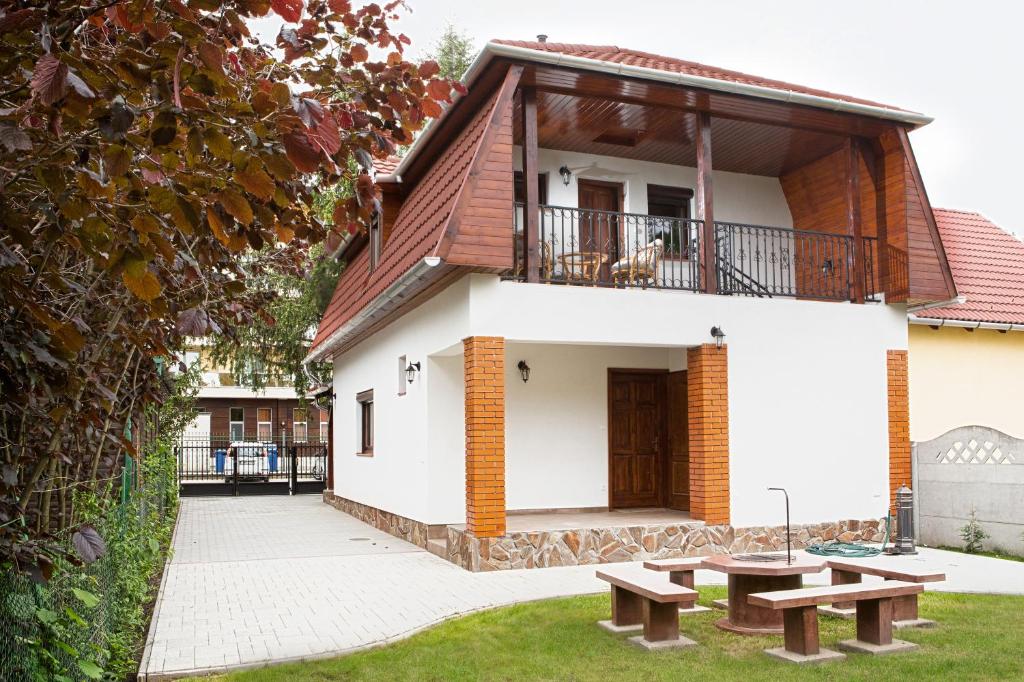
{"type": "Point", "coordinates": [492, 51]}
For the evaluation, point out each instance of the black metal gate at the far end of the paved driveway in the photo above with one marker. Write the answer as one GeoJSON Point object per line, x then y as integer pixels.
{"type": "Point", "coordinates": [216, 465]}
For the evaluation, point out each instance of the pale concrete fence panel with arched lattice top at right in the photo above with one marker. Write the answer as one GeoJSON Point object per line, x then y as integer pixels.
{"type": "Point", "coordinates": [971, 467]}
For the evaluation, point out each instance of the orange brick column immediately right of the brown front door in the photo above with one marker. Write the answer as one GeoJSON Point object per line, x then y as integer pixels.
{"type": "Point", "coordinates": [708, 403]}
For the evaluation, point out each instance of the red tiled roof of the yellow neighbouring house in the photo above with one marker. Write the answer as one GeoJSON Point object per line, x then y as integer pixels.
{"type": "Point", "coordinates": [988, 264]}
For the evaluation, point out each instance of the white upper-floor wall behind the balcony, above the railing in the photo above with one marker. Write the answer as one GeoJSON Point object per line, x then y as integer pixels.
{"type": "Point", "coordinates": [740, 198]}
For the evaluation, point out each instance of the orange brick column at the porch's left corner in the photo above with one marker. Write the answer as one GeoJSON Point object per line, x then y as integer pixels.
{"type": "Point", "coordinates": [485, 362]}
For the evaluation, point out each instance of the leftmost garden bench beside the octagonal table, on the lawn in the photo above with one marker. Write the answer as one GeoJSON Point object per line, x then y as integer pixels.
{"type": "Point", "coordinates": [645, 600]}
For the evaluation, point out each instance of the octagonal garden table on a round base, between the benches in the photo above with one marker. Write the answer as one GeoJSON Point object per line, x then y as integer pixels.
{"type": "Point", "coordinates": [749, 577]}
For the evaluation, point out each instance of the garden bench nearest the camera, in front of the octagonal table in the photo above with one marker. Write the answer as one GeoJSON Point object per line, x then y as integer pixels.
{"type": "Point", "coordinates": [800, 616]}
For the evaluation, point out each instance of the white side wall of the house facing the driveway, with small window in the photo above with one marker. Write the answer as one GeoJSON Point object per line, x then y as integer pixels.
{"type": "Point", "coordinates": [396, 479]}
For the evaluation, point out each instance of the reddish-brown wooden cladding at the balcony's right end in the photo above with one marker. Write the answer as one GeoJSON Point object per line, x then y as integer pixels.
{"type": "Point", "coordinates": [913, 267]}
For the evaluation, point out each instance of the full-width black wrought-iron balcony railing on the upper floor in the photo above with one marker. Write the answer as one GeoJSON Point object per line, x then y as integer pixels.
{"type": "Point", "coordinates": [593, 248]}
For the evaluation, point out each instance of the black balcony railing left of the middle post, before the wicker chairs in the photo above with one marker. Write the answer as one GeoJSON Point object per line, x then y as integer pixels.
{"type": "Point", "coordinates": [612, 249]}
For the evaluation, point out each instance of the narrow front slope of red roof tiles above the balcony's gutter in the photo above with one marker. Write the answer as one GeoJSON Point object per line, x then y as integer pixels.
{"type": "Point", "coordinates": [614, 55]}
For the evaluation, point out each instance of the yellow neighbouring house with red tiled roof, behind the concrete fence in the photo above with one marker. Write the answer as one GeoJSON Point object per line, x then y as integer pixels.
{"type": "Point", "coordinates": [967, 358]}
